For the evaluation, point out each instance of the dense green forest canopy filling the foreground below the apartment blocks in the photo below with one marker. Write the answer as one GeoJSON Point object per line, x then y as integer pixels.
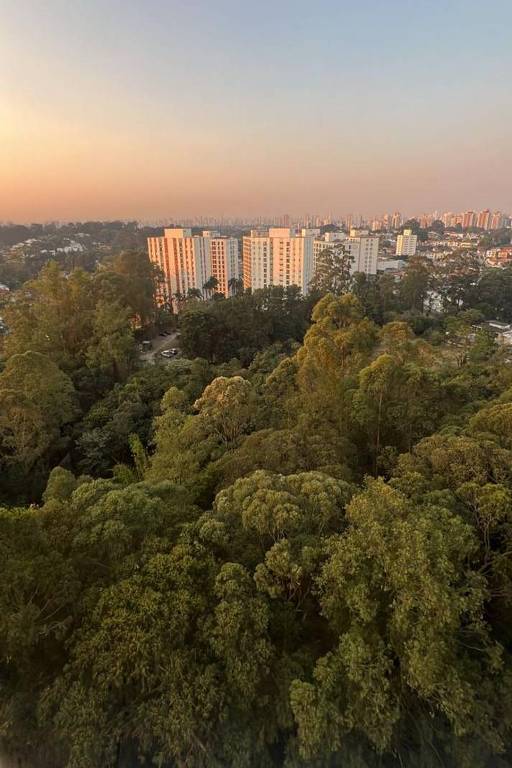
{"type": "Point", "coordinates": [289, 547]}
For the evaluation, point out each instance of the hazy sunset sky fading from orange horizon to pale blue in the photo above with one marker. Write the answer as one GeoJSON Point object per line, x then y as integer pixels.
{"type": "Point", "coordinates": [155, 109]}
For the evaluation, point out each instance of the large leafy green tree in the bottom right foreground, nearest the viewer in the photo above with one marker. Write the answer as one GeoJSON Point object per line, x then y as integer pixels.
{"type": "Point", "coordinates": [403, 623]}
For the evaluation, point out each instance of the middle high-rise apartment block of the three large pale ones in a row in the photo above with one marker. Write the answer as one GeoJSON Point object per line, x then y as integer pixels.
{"type": "Point", "coordinates": [278, 256]}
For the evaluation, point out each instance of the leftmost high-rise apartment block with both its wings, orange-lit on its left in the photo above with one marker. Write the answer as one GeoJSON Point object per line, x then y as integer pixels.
{"type": "Point", "coordinates": [188, 261]}
